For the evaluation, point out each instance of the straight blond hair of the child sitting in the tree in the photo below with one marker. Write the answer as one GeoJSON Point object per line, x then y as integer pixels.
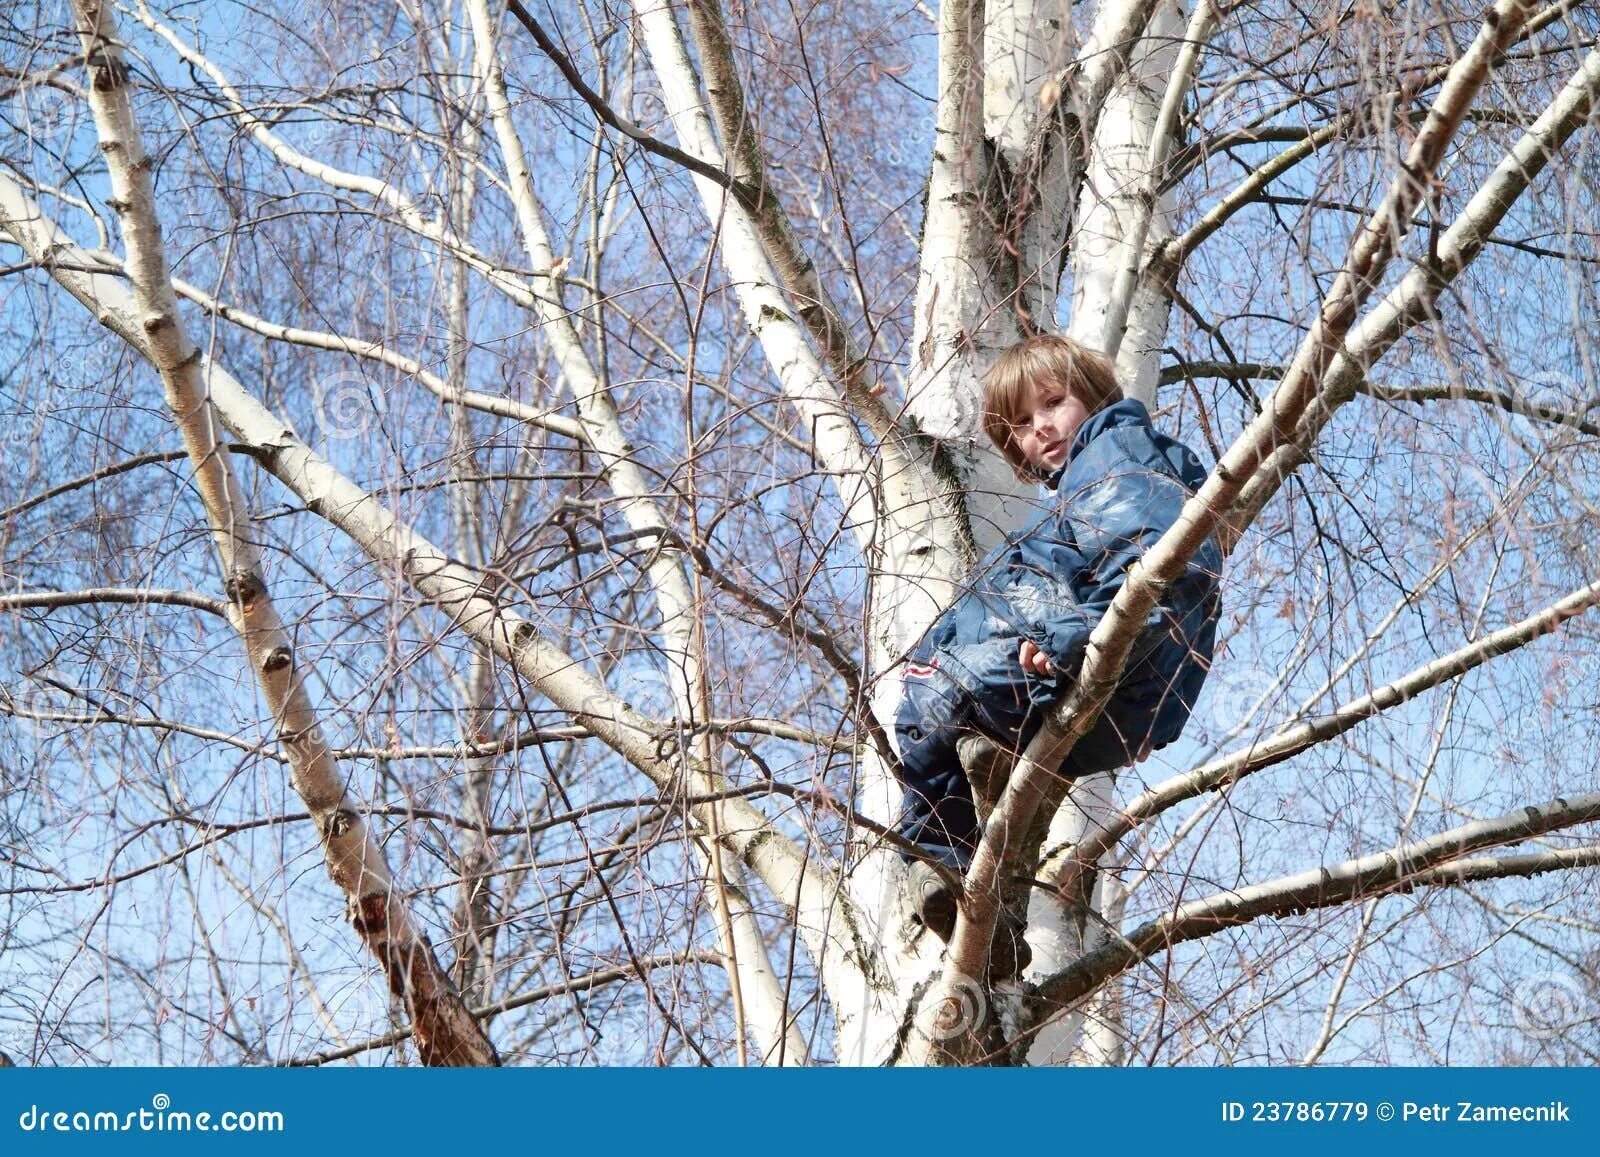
{"type": "Point", "coordinates": [1009, 388]}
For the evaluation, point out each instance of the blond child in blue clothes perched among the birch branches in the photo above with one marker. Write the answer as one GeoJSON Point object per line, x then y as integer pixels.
{"type": "Point", "coordinates": [1014, 643]}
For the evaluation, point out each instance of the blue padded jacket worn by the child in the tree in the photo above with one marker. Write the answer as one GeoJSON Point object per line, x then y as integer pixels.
{"type": "Point", "coordinates": [1121, 489]}
